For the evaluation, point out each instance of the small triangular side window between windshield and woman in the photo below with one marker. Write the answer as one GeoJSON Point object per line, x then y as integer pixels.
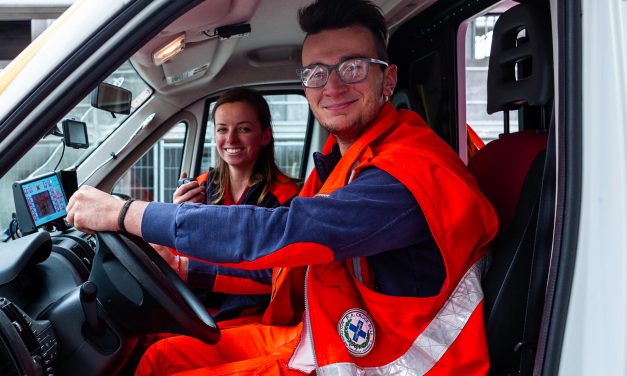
{"type": "Point", "coordinates": [154, 176]}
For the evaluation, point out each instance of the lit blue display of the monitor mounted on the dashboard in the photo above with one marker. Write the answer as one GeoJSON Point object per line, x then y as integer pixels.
{"type": "Point", "coordinates": [45, 199]}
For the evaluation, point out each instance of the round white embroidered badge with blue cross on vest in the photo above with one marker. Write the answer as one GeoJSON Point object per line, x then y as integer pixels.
{"type": "Point", "coordinates": [356, 329]}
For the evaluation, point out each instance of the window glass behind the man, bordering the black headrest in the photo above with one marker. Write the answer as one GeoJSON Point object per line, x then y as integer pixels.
{"type": "Point", "coordinates": [478, 43]}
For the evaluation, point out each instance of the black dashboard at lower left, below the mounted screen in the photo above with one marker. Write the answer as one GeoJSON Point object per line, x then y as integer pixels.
{"type": "Point", "coordinates": [36, 272]}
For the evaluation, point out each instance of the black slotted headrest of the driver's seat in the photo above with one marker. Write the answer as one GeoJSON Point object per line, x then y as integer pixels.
{"type": "Point", "coordinates": [521, 68]}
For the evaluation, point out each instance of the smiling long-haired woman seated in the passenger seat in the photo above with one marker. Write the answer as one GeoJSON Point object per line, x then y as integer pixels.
{"type": "Point", "coordinates": [245, 174]}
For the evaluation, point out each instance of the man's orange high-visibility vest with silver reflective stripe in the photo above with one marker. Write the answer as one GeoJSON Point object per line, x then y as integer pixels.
{"type": "Point", "coordinates": [349, 328]}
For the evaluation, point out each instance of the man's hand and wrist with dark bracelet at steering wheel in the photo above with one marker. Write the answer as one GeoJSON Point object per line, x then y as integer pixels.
{"type": "Point", "coordinates": [91, 210]}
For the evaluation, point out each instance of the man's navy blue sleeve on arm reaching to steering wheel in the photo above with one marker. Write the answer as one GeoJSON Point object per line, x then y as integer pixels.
{"type": "Point", "coordinates": [375, 213]}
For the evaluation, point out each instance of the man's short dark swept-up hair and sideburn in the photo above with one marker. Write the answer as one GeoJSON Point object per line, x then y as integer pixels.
{"type": "Point", "coordinates": [336, 14]}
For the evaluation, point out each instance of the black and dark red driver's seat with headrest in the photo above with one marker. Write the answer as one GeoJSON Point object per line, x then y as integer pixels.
{"type": "Point", "coordinates": [517, 174]}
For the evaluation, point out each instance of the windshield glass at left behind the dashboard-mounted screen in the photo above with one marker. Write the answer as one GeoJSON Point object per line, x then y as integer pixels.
{"type": "Point", "coordinates": [49, 154]}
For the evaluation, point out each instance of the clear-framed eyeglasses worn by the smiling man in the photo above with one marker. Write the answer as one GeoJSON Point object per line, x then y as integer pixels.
{"type": "Point", "coordinates": [349, 71]}
